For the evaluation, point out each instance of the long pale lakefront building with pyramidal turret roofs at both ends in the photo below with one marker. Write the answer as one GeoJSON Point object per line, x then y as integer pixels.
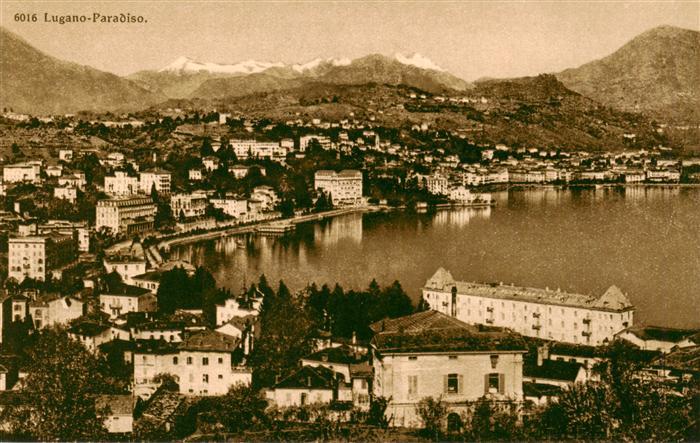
{"type": "Point", "coordinates": [542, 313]}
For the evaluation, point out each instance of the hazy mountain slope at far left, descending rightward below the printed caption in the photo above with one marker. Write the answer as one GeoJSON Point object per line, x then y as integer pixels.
{"type": "Point", "coordinates": [36, 83]}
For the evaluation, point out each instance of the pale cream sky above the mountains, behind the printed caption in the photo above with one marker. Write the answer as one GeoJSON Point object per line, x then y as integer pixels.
{"type": "Point", "coordinates": [469, 39]}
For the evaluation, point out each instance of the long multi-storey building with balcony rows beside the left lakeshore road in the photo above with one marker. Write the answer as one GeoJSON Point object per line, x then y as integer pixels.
{"type": "Point", "coordinates": [126, 215]}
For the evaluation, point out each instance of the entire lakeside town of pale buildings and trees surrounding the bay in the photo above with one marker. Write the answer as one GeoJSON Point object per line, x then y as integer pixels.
{"type": "Point", "coordinates": [86, 229]}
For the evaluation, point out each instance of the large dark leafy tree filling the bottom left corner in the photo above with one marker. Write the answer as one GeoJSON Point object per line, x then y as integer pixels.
{"type": "Point", "coordinates": [60, 390]}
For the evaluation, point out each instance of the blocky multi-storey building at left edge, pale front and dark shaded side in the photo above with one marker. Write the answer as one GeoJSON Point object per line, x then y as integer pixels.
{"type": "Point", "coordinates": [33, 257]}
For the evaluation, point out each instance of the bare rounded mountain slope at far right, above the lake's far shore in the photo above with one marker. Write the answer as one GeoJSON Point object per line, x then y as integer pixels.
{"type": "Point", "coordinates": [657, 71]}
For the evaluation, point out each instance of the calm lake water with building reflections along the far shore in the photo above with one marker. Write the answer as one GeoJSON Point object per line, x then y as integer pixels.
{"type": "Point", "coordinates": [644, 240]}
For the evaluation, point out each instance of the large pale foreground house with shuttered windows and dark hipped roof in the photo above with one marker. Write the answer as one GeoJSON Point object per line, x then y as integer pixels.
{"type": "Point", "coordinates": [430, 354]}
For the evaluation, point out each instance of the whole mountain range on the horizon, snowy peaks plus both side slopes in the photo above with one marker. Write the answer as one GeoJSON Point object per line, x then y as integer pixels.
{"type": "Point", "coordinates": [657, 72]}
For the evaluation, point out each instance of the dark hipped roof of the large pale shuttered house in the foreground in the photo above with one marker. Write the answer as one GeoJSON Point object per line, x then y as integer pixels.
{"type": "Point", "coordinates": [432, 331]}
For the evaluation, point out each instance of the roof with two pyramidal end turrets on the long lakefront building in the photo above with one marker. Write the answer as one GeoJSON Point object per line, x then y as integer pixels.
{"type": "Point", "coordinates": [612, 300]}
